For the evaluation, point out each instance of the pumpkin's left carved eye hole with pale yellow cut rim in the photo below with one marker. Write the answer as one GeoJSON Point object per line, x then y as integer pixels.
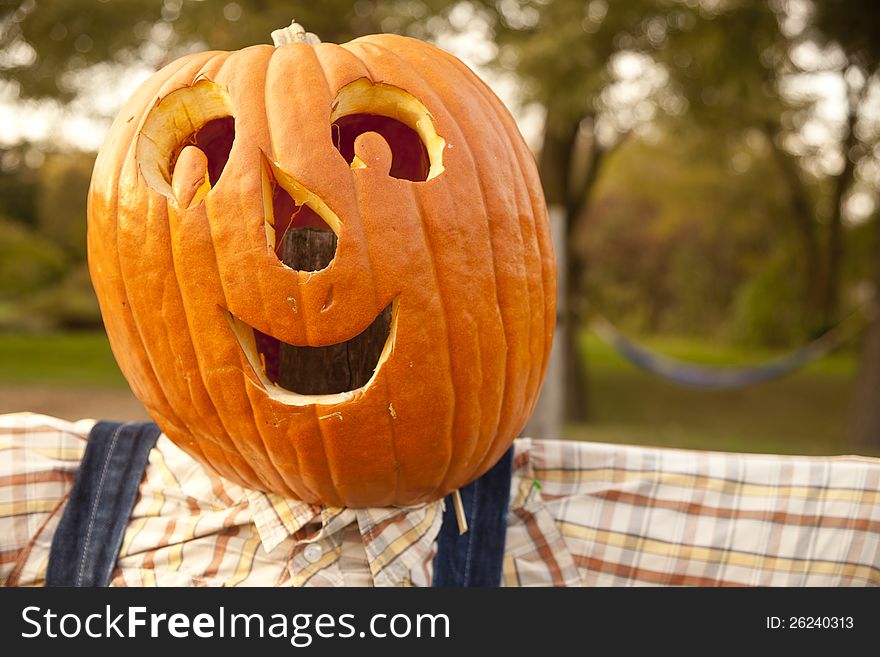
{"type": "Point", "coordinates": [185, 142]}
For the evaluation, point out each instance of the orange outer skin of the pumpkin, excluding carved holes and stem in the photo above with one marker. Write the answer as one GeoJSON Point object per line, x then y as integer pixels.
{"type": "Point", "coordinates": [465, 256]}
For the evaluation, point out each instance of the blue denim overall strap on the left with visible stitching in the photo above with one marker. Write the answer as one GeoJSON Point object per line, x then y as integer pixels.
{"type": "Point", "coordinates": [89, 535]}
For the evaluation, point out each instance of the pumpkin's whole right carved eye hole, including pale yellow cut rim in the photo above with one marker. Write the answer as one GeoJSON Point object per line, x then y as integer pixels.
{"type": "Point", "coordinates": [401, 120]}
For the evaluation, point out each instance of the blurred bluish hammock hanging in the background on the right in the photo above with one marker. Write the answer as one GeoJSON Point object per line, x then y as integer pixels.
{"type": "Point", "coordinates": [711, 377]}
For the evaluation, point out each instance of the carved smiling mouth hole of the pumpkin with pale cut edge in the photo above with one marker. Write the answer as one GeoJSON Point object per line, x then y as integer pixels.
{"type": "Point", "coordinates": [298, 375]}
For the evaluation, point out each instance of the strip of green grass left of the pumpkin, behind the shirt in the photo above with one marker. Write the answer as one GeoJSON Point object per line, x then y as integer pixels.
{"type": "Point", "coordinates": [62, 359]}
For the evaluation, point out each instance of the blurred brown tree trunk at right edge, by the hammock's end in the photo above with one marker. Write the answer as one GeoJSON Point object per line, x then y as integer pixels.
{"type": "Point", "coordinates": [865, 413]}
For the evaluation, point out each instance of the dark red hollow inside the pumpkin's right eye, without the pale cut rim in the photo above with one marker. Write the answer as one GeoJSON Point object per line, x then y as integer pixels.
{"type": "Point", "coordinates": [409, 157]}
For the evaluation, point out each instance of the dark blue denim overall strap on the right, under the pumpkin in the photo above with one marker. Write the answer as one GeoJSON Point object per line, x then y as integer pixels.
{"type": "Point", "coordinates": [475, 557]}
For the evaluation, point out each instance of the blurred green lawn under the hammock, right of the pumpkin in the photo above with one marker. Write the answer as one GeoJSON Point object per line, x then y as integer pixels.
{"type": "Point", "coordinates": [804, 413]}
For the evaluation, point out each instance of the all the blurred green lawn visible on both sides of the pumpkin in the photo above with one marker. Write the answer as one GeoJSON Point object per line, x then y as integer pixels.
{"type": "Point", "coordinates": [804, 413]}
